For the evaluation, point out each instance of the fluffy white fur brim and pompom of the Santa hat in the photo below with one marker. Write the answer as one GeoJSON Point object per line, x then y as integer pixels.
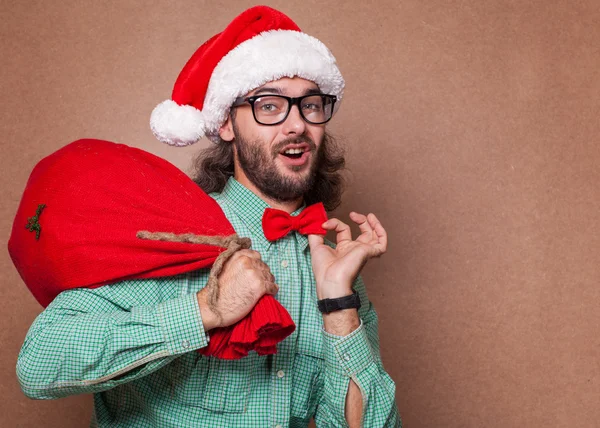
{"type": "Point", "coordinates": [267, 56]}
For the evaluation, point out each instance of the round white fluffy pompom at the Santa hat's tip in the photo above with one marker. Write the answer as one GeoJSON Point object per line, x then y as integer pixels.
{"type": "Point", "coordinates": [177, 125]}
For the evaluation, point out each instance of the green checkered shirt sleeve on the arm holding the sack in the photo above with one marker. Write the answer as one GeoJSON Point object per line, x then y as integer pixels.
{"type": "Point", "coordinates": [91, 340]}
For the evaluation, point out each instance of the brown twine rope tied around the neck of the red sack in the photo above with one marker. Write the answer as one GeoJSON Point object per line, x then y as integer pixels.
{"type": "Point", "coordinates": [233, 243]}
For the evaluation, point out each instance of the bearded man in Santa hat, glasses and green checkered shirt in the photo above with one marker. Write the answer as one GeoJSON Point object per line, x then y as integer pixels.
{"type": "Point", "coordinates": [263, 92]}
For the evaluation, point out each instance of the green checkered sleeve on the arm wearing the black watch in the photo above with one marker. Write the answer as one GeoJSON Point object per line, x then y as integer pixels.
{"type": "Point", "coordinates": [357, 357]}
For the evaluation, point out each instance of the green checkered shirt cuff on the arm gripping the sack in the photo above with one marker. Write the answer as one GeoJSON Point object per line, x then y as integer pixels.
{"type": "Point", "coordinates": [182, 325]}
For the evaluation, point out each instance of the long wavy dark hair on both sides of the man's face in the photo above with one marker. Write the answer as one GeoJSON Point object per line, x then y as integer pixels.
{"type": "Point", "coordinates": [212, 167]}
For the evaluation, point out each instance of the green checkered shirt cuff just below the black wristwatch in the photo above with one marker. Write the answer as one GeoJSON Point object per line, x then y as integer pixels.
{"type": "Point", "coordinates": [349, 354]}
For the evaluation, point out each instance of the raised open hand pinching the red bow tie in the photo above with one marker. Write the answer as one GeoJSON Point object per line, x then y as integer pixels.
{"type": "Point", "coordinates": [336, 269]}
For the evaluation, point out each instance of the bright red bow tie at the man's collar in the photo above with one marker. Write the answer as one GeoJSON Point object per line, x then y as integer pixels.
{"type": "Point", "coordinates": [278, 223]}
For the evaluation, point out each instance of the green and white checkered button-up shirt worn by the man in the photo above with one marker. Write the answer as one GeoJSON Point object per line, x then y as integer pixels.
{"type": "Point", "coordinates": [133, 345]}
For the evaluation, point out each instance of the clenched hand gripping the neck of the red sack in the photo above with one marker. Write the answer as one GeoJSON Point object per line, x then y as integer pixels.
{"type": "Point", "coordinates": [245, 278]}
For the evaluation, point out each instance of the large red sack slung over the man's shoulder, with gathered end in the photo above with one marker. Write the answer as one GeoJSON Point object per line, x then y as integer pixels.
{"type": "Point", "coordinates": [78, 221]}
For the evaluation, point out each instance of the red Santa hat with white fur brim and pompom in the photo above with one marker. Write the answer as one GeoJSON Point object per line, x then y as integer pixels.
{"type": "Point", "coordinates": [259, 46]}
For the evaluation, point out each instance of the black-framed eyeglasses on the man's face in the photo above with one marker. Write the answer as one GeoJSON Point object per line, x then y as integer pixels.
{"type": "Point", "coordinates": [316, 109]}
